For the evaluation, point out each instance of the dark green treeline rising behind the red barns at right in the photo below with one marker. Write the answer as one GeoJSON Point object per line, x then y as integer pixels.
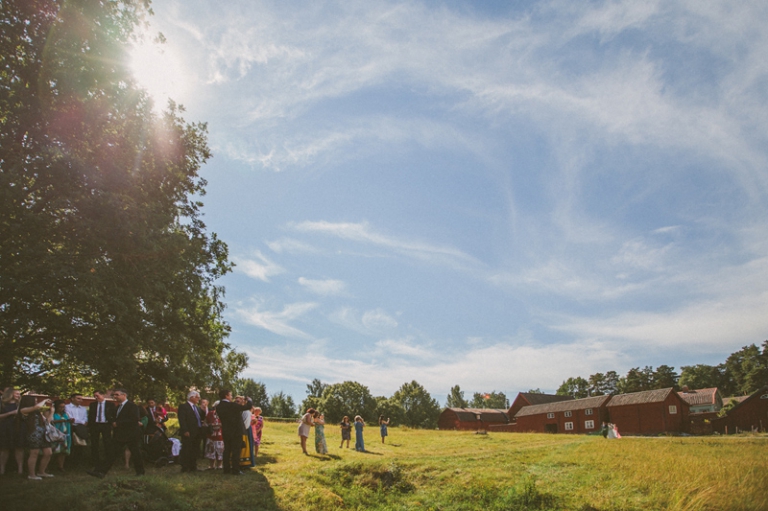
{"type": "Point", "coordinates": [742, 373]}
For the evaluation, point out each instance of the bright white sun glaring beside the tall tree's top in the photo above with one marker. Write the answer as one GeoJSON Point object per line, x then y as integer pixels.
{"type": "Point", "coordinates": [158, 68]}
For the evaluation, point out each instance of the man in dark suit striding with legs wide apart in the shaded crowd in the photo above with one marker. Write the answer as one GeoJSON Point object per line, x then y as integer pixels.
{"type": "Point", "coordinates": [126, 433]}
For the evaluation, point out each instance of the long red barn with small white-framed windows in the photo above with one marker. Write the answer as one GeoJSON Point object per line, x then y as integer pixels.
{"type": "Point", "coordinates": [572, 416]}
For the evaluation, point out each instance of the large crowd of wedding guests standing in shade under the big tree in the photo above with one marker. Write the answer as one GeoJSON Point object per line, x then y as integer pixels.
{"type": "Point", "coordinates": [115, 429]}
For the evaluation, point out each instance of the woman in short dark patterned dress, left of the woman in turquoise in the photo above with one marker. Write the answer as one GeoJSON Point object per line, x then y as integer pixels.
{"type": "Point", "coordinates": [33, 417]}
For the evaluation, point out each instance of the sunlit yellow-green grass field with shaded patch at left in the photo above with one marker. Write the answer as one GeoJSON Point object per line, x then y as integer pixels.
{"type": "Point", "coordinates": [437, 470]}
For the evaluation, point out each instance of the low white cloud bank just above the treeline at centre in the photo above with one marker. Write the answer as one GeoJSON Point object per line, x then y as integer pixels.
{"type": "Point", "coordinates": [501, 366]}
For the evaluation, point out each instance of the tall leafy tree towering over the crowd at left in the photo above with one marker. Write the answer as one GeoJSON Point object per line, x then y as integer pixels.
{"type": "Point", "coordinates": [107, 273]}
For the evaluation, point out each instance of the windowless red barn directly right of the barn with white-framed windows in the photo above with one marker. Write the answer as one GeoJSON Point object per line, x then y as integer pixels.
{"type": "Point", "coordinates": [649, 412]}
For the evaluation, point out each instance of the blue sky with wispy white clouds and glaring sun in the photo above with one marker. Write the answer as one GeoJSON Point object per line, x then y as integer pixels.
{"type": "Point", "coordinates": [498, 195]}
